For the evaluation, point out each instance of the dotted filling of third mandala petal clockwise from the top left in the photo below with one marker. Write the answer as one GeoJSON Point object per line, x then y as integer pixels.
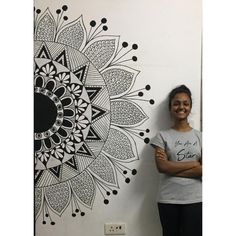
{"type": "Point", "coordinates": [100, 52]}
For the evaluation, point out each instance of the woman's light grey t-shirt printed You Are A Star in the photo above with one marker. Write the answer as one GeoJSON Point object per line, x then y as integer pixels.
{"type": "Point", "coordinates": [180, 147]}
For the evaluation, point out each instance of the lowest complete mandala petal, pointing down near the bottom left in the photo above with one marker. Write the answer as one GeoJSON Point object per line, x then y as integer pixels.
{"type": "Point", "coordinates": [58, 197]}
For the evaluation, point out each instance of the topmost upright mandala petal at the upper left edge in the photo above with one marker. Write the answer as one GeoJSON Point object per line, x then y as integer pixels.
{"type": "Point", "coordinates": [46, 27]}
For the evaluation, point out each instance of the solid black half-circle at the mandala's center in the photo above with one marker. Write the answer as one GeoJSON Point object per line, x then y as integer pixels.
{"type": "Point", "coordinates": [45, 113]}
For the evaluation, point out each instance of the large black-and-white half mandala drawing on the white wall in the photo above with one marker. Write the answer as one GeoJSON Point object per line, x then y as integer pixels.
{"type": "Point", "coordinates": [86, 116]}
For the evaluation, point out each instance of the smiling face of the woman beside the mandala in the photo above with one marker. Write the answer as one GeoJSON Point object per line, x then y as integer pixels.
{"type": "Point", "coordinates": [180, 106]}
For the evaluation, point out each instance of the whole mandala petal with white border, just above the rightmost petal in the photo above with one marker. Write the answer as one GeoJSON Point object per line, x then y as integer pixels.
{"type": "Point", "coordinates": [119, 79]}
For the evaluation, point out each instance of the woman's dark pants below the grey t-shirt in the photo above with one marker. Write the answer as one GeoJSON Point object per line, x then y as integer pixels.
{"type": "Point", "coordinates": [181, 219]}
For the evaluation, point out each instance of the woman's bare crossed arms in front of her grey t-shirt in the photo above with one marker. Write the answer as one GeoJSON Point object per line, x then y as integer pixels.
{"type": "Point", "coordinates": [191, 169]}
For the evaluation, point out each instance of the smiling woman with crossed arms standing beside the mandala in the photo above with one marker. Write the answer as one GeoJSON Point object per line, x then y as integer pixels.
{"type": "Point", "coordinates": [178, 159]}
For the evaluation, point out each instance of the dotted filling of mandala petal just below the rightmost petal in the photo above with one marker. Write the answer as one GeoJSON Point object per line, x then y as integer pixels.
{"type": "Point", "coordinates": [118, 145]}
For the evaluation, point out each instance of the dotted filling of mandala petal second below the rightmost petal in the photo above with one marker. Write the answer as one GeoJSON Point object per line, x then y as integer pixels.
{"type": "Point", "coordinates": [103, 168]}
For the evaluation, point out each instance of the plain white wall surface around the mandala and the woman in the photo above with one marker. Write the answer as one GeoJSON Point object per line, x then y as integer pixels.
{"type": "Point", "coordinates": [168, 33]}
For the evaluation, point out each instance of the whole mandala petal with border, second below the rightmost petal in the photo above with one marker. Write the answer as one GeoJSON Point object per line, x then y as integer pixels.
{"type": "Point", "coordinates": [103, 169]}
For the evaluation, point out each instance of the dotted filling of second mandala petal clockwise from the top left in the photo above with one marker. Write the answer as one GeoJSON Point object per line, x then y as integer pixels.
{"type": "Point", "coordinates": [72, 35]}
